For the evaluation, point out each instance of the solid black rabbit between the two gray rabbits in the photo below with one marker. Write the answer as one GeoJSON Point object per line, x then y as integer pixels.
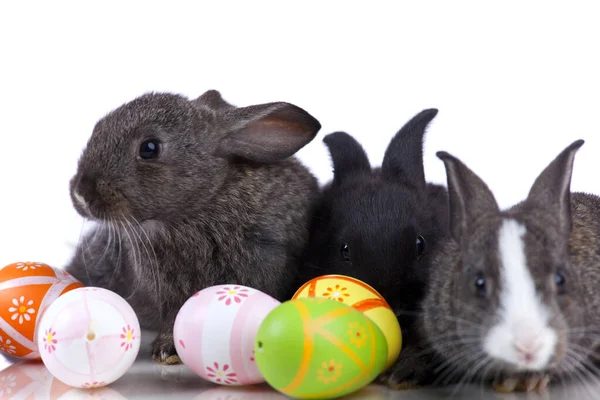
{"type": "Point", "coordinates": [379, 225]}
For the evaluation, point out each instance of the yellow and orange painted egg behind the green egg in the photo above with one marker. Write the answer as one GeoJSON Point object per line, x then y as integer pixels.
{"type": "Point", "coordinates": [362, 297]}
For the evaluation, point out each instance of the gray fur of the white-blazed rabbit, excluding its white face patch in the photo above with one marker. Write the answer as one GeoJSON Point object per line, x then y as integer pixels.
{"type": "Point", "coordinates": [562, 234]}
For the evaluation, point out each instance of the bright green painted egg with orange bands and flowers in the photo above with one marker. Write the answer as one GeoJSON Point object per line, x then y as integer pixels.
{"type": "Point", "coordinates": [318, 348]}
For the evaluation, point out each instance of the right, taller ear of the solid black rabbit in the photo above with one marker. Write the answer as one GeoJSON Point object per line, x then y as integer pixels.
{"type": "Point", "coordinates": [403, 160]}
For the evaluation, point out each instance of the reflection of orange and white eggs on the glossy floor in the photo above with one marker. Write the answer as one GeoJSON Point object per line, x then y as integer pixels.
{"type": "Point", "coordinates": [31, 380]}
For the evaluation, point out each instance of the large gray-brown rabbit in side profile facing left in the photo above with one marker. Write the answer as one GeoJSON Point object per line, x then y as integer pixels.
{"type": "Point", "coordinates": [192, 193]}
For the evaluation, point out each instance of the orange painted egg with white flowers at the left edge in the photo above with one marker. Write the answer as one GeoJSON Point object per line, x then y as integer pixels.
{"type": "Point", "coordinates": [26, 290]}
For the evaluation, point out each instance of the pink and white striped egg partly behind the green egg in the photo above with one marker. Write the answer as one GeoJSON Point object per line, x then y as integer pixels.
{"type": "Point", "coordinates": [215, 329]}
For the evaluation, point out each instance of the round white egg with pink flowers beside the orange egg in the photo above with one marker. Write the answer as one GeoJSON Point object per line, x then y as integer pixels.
{"type": "Point", "coordinates": [89, 337]}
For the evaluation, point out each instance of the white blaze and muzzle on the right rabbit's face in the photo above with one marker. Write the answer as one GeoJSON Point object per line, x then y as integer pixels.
{"type": "Point", "coordinates": [523, 337]}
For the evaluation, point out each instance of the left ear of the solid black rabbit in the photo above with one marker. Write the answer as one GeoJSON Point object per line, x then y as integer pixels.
{"type": "Point", "coordinates": [348, 156]}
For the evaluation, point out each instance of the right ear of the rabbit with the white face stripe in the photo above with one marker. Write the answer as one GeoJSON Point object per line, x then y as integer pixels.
{"type": "Point", "coordinates": [551, 191]}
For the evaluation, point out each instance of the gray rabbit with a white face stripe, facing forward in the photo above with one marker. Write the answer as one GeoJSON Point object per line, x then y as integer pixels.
{"type": "Point", "coordinates": [513, 298]}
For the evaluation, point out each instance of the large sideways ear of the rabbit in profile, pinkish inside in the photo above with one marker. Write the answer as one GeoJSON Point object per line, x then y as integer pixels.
{"type": "Point", "coordinates": [266, 133]}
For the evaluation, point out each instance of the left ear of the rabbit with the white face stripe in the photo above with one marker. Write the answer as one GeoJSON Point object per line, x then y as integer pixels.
{"type": "Point", "coordinates": [469, 196]}
